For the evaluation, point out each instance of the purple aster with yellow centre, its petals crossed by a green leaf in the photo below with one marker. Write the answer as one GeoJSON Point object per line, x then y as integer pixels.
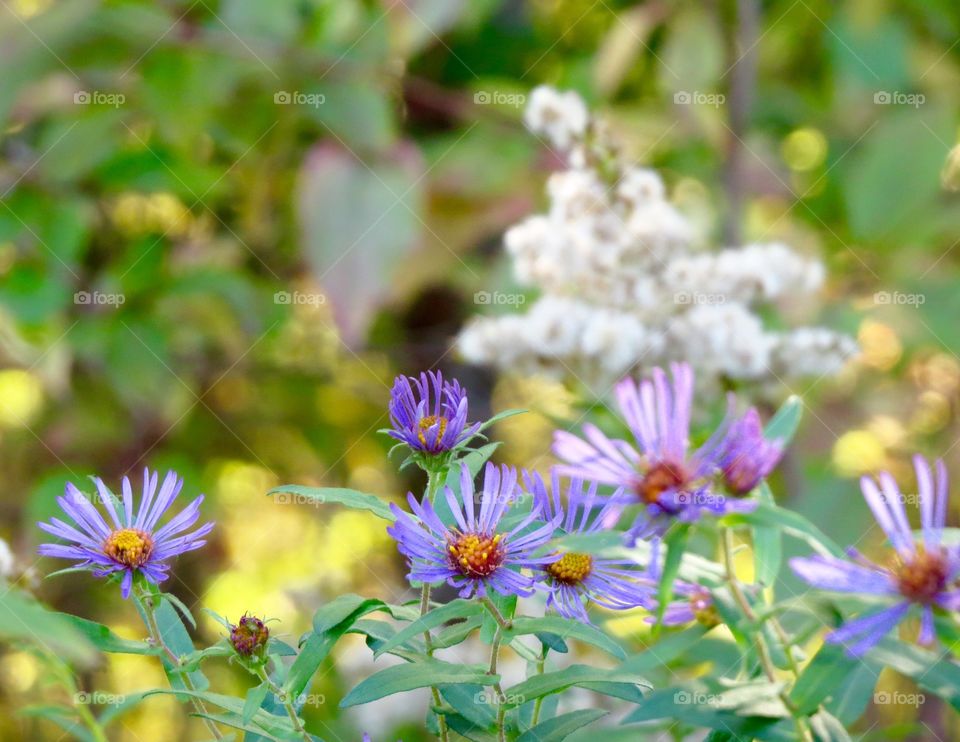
{"type": "Point", "coordinates": [575, 578]}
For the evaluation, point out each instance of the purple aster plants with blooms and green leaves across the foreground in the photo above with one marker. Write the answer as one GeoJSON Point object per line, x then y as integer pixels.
{"type": "Point", "coordinates": [619, 574]}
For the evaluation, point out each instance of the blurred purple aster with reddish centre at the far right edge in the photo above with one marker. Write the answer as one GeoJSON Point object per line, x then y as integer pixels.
{"type": "Point", "coordinates": [922, 574]}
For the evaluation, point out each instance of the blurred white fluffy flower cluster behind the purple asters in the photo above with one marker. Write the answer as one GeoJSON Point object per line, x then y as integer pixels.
{"type": "Point", "coordinates": [624, 285]}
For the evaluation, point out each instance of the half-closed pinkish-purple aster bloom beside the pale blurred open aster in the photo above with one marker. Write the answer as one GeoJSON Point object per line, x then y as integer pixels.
{"type": "Point", "coordinates": [744, 456]}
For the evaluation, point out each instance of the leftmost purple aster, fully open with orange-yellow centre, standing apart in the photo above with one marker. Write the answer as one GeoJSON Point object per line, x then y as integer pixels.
{"type": "Point", "coordinates": [126, 543]}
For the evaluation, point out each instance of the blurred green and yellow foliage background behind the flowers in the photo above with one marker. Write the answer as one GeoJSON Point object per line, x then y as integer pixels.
{"type": "Point", "coordinates": [226, 225]}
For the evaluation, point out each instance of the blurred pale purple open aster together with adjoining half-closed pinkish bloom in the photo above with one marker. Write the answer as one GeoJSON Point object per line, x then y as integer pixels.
{"type": "Point", "coordinates": [661, 472]}
